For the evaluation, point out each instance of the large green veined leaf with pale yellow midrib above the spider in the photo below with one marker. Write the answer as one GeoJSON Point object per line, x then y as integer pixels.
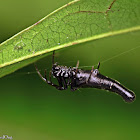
{"type": "Point", "coordinates": [74, 23]}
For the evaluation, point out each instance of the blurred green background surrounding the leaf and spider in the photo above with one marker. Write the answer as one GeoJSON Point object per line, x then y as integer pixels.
{"type": "Point", "coordinates": [32, 110]}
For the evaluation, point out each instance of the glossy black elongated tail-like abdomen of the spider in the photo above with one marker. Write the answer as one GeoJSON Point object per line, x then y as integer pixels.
{"type": "Point", "coordinates": [97, 80]}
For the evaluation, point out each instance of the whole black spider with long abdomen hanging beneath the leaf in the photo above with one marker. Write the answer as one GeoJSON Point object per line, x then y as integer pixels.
{"type": "Point", "coordinates": [78, 78]}
